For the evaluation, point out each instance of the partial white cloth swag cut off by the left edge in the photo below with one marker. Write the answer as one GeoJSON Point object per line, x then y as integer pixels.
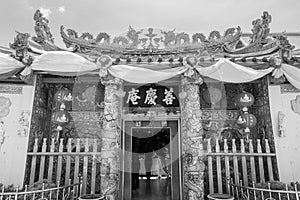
{"type": "Point", "coordinates": [9, 66]}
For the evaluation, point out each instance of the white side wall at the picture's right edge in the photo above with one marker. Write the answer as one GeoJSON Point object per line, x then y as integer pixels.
{"type": "Point", "coordinates": [288, 147]}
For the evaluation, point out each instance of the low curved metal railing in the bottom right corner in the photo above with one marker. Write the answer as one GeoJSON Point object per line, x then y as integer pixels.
{"type": "Point", "coordinates": [271, 191]}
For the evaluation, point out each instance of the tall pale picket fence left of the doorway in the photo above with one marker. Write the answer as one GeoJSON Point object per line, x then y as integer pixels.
{"type": "Point", "coordinates": [64, 160]}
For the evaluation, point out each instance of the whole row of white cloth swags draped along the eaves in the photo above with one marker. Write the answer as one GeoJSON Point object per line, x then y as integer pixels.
{"type": "Point", "coordinates": [70, 64]}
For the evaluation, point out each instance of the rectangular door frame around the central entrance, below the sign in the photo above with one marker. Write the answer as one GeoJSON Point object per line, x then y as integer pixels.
{"type": "Point", "coordinates": [131, 118]}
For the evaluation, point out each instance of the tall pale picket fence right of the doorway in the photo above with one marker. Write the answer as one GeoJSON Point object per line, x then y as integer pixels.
{"type": "Point", "coordinates": [250, 161]}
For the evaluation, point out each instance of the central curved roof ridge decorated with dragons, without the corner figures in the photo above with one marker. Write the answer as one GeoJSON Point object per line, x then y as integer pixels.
{"type": "Point", "coordinates": [150, 41]}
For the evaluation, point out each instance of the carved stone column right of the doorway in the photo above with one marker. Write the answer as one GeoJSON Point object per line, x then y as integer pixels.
{"type": "Point", "coordinates": [192, 141]}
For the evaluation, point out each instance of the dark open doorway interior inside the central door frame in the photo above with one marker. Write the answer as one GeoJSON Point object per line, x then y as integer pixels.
{"type": "Point", "coordinates": [151, 175]}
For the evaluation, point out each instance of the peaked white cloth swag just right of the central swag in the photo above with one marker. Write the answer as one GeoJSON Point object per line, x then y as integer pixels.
{"type": "Point", "coordinates": [226, 71]}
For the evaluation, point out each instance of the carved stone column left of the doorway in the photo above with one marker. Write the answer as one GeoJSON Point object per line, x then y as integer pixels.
{"type": "Point", "coordinates": [110, 160]}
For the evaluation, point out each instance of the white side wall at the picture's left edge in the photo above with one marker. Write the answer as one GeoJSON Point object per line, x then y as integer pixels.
{"type": "Point", "coordinates": [15, 129]}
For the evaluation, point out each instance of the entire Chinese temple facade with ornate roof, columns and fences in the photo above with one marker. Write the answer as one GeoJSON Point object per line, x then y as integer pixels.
{"type": "Point", "coordinates": [205, 107]}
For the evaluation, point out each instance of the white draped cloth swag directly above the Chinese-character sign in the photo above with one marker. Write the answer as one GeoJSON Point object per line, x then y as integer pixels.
{"type": "Point", "coordinates": [143, 75]}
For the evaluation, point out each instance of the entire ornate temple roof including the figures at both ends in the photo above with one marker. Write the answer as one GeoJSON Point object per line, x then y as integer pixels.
{"type": "Point", "coordinates": [149, 44]}
